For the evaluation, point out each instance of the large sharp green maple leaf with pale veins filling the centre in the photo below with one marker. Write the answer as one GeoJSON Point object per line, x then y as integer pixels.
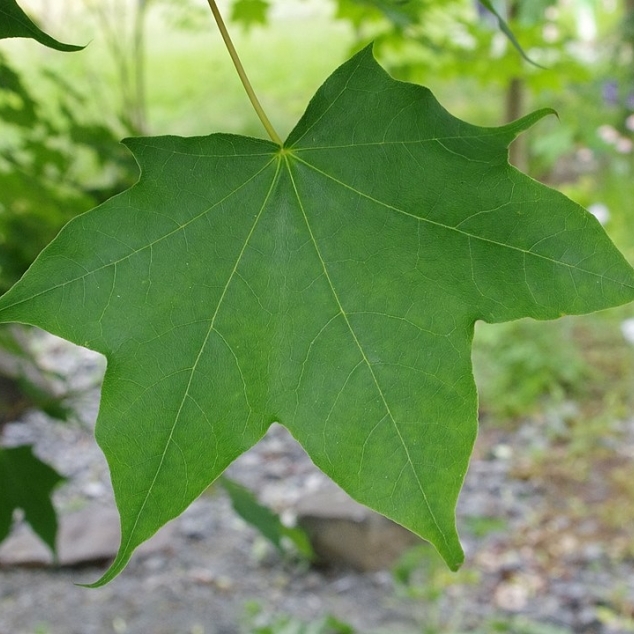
{"type": "Point", "coordinates": [331, 285]}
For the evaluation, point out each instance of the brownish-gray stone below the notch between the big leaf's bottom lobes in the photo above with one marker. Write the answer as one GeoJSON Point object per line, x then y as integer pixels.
{"type": "Point", "coordinates": [344, 532]}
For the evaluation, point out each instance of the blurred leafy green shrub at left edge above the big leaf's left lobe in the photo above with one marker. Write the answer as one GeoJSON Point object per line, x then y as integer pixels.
{"type": "Point", "coordinates": [54, 164]}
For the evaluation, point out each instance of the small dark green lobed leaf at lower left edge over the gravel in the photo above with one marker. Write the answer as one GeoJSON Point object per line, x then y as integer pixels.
{"type": "Point", "coordinates": [26, 483]}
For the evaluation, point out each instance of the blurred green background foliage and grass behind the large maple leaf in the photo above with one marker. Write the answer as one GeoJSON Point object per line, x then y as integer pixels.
{"type": "Point", "coordinates": [159, 67]}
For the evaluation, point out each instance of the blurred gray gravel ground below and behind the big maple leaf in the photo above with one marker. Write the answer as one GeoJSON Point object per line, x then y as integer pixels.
{"type": "Point", "coordinates": [529, 564]}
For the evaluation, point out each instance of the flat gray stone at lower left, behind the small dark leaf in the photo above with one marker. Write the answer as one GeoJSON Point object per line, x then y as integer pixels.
{"type": "Point", "coordinates": [88, 536]}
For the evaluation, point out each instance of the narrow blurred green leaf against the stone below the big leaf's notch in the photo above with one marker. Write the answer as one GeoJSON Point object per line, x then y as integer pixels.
{"type": "Point", "coordinates": [264, 519]}
